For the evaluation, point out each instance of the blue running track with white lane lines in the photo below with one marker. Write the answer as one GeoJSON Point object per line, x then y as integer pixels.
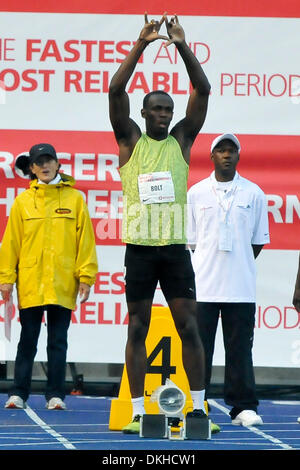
{"type": "Point", "coordinates": [84, 427]}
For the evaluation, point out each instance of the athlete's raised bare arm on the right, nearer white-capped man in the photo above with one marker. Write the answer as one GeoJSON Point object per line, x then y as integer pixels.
{"type": "Point", "coordinates": [186, 130]}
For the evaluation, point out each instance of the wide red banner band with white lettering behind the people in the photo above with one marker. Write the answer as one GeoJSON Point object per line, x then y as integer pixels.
{"type": "Point", "coordinates": [272, 162]}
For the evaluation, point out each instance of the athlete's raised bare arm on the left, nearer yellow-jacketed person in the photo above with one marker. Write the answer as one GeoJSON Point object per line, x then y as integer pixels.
{"type": "Point", "coordinates": [125, 129]}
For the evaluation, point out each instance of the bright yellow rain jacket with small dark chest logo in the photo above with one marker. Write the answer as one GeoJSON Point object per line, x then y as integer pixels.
{"type": "Point", "coordinates": [48, 246]}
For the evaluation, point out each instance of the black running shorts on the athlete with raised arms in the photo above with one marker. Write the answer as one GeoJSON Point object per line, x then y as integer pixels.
{"type": "Point", "coordinates": [169, 265]}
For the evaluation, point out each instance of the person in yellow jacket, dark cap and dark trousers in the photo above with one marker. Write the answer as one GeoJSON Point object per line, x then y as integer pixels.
{"type": "Point", "coordinates": [48, 250]}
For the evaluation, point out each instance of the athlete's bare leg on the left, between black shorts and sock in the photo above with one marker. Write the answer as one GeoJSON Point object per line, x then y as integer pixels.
{"type": "Point", "coordinates": [135, 354]}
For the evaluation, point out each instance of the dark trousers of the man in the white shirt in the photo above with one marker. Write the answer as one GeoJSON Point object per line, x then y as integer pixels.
{"type": "Point", "coordinates": [238, 330]}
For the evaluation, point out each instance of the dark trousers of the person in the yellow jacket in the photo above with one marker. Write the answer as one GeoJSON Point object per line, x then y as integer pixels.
{"type": "Point", "coordinates": [58, 321]}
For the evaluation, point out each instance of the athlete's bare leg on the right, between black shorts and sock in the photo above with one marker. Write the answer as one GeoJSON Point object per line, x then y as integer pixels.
{"type": "Point", "coordinates": [184, 314]}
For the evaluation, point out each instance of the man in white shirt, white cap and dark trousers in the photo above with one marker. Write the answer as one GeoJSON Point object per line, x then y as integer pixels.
{"type": "Point", "coordinates": [228, 227]}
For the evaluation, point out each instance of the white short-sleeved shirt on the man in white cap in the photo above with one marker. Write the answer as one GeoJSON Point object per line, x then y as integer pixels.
{"type": "Point", "coordinates": [223, 260]}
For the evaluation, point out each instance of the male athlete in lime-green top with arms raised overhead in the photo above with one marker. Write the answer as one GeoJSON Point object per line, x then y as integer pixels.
{"type": "Point", "coordinates": [154, 169]}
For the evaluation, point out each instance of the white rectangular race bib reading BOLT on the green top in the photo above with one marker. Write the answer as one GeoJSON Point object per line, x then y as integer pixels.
{"type": "Point", "coordinates": [156, 187]}
